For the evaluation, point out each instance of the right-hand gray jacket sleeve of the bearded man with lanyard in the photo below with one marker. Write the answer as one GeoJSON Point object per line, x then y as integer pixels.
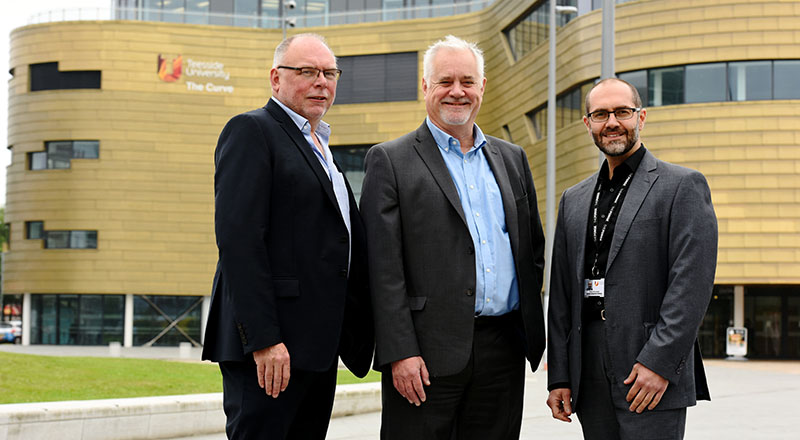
{"type": "Point", "coordinates": [692, 264]}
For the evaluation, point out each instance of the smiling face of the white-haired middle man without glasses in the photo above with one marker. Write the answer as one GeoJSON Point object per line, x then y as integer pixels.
{"type": "Point", "coordinates": [454, 92]}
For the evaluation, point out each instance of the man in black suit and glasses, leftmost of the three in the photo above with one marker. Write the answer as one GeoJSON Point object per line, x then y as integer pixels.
{"type": "Point", "coordinates": [290, 290]}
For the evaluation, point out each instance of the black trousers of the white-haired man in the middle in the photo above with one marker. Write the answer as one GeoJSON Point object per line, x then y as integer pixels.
{"type": "Point", "coordinates": [482, 402]}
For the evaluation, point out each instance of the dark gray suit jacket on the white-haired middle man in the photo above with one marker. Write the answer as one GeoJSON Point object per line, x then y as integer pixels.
{"type": "Point", "coordinates": [422, 261]}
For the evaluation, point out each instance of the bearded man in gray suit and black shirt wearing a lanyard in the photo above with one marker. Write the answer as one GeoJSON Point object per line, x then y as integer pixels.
{"type": "Point", "coordinates": [633, 269]}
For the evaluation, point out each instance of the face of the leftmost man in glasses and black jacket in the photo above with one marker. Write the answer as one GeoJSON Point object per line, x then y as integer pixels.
{"type": "Point", "coordinates": [308, 98]}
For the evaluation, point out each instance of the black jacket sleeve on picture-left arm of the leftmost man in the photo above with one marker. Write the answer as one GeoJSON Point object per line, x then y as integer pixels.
{"type": "Point", "coordinates": [242, 185]}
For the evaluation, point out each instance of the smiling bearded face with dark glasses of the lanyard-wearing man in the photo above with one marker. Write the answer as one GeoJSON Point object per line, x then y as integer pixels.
{"type": "Point", "coordinates": [613, 137]}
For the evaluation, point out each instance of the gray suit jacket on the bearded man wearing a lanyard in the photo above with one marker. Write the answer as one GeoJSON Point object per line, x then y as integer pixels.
{"type": "Point", "coordinates": [659, 278]}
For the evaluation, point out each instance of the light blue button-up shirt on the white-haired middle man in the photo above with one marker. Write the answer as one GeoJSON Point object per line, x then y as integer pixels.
{"type": "Point", "coordinates": [496, 290]}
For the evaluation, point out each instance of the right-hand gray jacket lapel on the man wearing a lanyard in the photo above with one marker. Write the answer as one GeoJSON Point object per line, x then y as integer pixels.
{"type": "Point", "coordinates": [643, 180]}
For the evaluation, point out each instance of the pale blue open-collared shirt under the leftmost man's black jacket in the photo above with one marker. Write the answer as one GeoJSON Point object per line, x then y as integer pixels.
{"type": "Point", "coordinates": [323, 133]}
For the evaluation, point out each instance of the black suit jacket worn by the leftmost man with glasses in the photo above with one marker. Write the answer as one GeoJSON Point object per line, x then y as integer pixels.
{"type": "Point", "coordinates": [282, 274]}
